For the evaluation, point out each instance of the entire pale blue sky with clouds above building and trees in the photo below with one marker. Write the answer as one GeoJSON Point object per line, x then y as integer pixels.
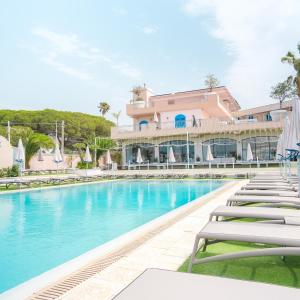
{"type": "Point", "coordinates": [70, 55]}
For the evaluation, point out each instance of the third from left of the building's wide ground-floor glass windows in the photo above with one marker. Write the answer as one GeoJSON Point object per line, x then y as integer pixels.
{"type": "Point", "coordinates": [220, 148]}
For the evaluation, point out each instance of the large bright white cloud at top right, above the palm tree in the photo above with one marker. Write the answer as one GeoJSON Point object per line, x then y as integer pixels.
{"type": "Point", "coordinates": [256, 35]}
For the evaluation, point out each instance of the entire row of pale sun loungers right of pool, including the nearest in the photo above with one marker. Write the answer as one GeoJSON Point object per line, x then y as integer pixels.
{"type": "Point", "coordinates": [272, 225]}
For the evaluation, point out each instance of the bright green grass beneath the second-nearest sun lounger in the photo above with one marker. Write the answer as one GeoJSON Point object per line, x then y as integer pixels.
{"type": "Point", "coordinates": [262, 269]}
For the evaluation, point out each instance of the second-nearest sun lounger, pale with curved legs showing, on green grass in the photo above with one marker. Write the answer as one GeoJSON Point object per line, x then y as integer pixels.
{"type": "Point", "coordinates": [286, 236]}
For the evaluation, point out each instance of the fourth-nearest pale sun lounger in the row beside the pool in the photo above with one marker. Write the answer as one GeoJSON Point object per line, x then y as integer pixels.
{"type": "Point", "coordinates": [273, 200]}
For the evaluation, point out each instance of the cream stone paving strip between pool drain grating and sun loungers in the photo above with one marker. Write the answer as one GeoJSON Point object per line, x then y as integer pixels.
{"type": "Point", "coordinates": [167, 249]}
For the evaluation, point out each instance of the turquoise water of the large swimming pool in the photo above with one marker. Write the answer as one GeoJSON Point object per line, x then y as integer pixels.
{"type": "Point", "coordinates": [42, 229]}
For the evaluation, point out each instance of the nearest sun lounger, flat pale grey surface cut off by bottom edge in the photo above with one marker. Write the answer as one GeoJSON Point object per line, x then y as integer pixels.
{"type": "Point", "coordinates": [155, 284]}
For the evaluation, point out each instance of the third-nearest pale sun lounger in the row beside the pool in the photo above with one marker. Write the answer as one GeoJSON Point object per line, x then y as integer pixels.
{"type": "Point", "coordinates": [284, 215]}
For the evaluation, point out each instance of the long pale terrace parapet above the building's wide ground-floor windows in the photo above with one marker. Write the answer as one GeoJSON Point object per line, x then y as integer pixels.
{"type": "Point", "coordinates": [192, 126]}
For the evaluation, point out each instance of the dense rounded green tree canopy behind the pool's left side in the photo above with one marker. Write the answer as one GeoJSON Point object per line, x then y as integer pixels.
{"type": "Point", "coordinates": [79, 127]}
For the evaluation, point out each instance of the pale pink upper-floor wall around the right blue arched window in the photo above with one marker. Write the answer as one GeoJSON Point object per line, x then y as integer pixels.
{"type": "Point", "coordinates": [167, 119]}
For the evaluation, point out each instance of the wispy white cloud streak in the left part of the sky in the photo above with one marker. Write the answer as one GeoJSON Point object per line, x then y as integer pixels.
{"type": "Point", "coordinates": [68, 54]}
